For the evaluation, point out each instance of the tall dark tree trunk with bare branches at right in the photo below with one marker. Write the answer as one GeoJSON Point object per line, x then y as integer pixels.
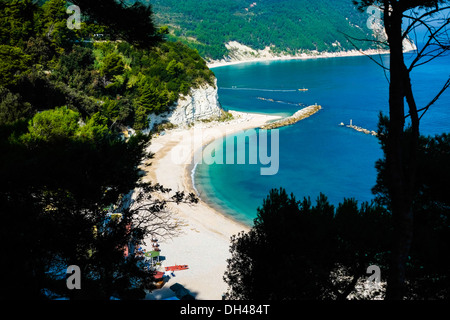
{"type": "Point", "coordinates": [401, 149]}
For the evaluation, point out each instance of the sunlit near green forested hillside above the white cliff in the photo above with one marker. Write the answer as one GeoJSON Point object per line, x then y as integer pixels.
{"type": "Point", "coordinates": [45, 65]}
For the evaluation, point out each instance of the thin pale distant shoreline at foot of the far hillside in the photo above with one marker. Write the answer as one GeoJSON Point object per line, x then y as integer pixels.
{"type": "Point", "coordinates": [303, 56]}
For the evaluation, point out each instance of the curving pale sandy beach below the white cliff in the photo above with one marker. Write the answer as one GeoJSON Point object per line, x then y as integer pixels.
{"type": "Point", "coordinates": [204, 240]}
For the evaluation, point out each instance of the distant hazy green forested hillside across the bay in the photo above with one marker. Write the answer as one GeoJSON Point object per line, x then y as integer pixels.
{"type": "Point", "coordinates": [288, 25]}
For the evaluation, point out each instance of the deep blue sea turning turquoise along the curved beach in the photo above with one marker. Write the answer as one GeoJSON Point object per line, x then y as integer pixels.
{"type": "Point", "coordinates": [316, 154]}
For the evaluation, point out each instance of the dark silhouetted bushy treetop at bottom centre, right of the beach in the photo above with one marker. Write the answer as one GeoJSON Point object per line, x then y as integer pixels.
{"type": "Point", "coordinates": [299, 251]}
